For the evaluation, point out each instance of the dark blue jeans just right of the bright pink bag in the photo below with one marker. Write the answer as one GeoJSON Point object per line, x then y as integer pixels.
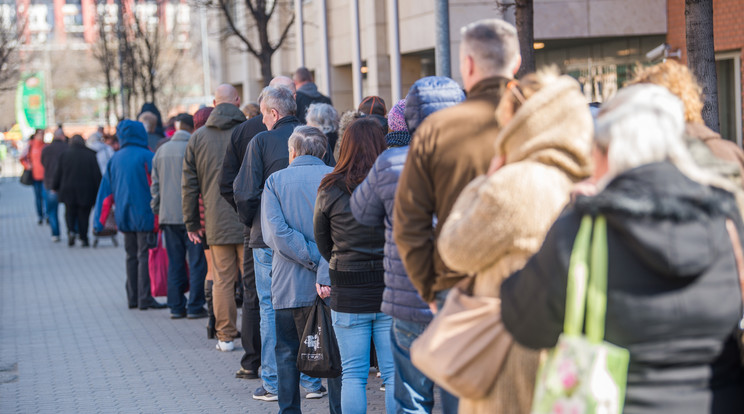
{"type": "Point", "coordinates": [179, 248]}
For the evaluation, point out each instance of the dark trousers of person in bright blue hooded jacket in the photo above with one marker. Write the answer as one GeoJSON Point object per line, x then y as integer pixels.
{"type": "Point", "coordinates": [138, 274]}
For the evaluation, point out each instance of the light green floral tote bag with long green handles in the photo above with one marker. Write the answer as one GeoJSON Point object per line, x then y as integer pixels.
{"type": "Point", "coordinates": [584, 373]}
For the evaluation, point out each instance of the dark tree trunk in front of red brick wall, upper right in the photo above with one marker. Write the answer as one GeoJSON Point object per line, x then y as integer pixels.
{"type": "Point", "coordinates": [701, 57]}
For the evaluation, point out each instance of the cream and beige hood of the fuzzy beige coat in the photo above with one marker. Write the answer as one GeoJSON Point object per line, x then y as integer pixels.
{"type": "Point", "coordinates": [553, 127]}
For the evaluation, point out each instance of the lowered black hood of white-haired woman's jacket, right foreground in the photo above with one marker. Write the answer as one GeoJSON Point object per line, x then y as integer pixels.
{"type": "Point", "coordinates": [667, 219]}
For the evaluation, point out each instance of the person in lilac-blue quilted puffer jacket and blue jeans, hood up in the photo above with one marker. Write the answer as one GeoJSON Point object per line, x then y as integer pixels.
{"type": "Point", "coordinates": [372, 204]}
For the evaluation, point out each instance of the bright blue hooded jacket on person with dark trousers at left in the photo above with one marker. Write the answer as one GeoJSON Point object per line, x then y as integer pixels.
{"type": "Point", "coordinates": [126, 182]}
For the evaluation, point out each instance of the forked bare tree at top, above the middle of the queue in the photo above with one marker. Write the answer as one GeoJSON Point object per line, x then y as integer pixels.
{"type": "Point", "coordinates": [260, 13]}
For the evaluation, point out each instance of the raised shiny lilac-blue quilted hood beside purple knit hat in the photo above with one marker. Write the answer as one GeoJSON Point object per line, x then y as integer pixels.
{"type": "Point", "coordinates": [428, 95]}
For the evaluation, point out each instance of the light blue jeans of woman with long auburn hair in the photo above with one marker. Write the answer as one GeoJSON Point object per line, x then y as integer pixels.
{"type": "Point", "coordinates": [354, 333]}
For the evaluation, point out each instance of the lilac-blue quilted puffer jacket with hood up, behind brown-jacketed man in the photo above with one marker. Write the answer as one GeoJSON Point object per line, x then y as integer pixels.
{"type": "Point", "coordinates": [372, 201]}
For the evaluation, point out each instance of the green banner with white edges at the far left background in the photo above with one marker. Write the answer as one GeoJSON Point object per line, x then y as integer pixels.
{"type": "Point", "coordinates": [30, 102]}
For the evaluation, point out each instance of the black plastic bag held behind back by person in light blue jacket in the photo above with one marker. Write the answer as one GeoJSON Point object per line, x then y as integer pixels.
{"type": "Point", "coordinates": [319, 356]}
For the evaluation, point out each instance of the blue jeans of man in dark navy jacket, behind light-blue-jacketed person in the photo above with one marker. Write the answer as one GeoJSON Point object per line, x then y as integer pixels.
{"type": "Point", "coordinates": [262, 265]}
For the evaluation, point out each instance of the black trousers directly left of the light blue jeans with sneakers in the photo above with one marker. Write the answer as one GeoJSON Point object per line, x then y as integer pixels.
{"type": "Point", "coordinates": [250, 323]}
